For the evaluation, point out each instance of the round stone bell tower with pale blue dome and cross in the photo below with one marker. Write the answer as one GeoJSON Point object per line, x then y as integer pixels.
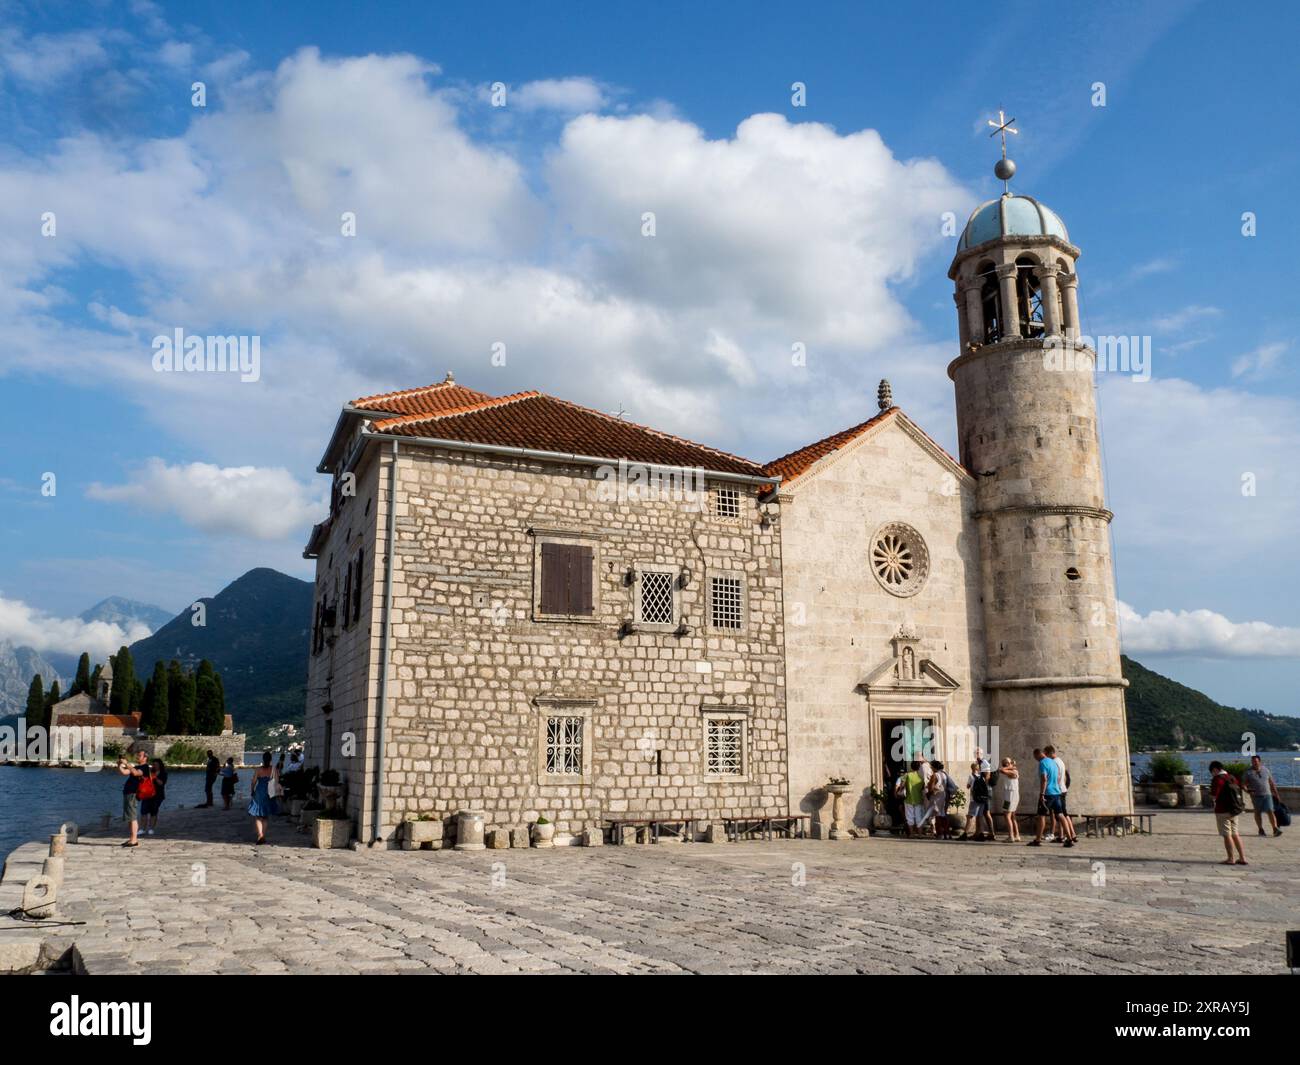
{"type": "Point", "coordinates": [1028, 430]}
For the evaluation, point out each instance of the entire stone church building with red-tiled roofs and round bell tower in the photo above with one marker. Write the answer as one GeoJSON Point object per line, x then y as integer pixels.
{"type": "Point", "coordinates": [534, 609]}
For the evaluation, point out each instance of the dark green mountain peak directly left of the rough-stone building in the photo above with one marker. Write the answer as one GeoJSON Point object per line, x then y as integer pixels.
{"type": "Point", "coordinates": [257, 637]}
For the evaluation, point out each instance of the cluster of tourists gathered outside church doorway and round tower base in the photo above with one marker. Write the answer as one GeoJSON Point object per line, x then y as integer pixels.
{"type": "Point", "coordinates": [928, 790]}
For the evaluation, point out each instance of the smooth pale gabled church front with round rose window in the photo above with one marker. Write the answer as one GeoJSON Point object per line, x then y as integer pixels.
{"type": "Point", "coordinates": [842, 622]}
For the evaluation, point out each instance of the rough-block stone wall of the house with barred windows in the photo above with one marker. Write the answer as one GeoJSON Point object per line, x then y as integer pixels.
{"type": "Point", "coordinates": [476, 672]}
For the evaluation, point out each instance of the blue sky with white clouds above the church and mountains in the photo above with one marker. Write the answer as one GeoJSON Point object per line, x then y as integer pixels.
{"type": "Point", "coordinates": [778, 224]}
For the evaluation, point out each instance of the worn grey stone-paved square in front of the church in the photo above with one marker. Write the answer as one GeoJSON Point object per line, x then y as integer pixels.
{"type": "Point", "coordinates": [202, 899]}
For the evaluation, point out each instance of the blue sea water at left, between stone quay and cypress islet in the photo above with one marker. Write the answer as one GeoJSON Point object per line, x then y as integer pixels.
{"type": "Point", "coordinates": [36, 802]}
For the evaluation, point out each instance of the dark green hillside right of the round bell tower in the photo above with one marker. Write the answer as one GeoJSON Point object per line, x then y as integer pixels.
{"type": "Point", "coordinates": [1164, 713]}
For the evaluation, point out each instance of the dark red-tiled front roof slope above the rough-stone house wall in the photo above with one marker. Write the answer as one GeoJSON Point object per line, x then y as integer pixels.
{"type": "Point", "coordinates": [543, 423]}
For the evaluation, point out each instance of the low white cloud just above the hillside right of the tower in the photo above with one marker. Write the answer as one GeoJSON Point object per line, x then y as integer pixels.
{"type": "Point", "coordinates": [1204, 634]}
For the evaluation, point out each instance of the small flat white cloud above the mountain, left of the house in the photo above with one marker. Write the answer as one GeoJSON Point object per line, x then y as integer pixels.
{"type": "Point", "coordinates": [263, 504]}
